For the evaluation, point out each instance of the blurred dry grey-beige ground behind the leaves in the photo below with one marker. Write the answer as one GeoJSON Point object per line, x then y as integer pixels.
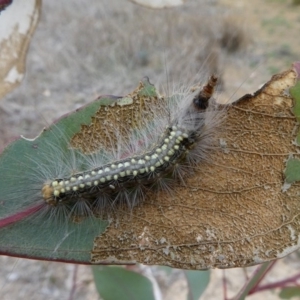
{"type": "Point", "coordinates": [82, 49]}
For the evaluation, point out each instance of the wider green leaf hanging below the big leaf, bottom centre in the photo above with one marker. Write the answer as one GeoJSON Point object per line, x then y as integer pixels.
{"type": "Point", "coordinates": [118, 283]}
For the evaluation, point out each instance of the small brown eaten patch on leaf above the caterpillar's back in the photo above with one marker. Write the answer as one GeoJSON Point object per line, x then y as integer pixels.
{"type": "Point", "coordinates": [111, 122]}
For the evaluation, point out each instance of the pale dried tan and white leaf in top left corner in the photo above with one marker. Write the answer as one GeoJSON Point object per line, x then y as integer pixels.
{"type": "Point", "coordinates": [17, 24]}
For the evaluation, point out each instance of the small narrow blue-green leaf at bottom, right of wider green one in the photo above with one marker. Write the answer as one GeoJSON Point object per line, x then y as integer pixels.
{"type": "Point", "coordinates": [197, 283]}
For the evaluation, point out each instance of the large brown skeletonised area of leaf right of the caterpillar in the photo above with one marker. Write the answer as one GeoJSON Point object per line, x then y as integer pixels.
{"type": "Point", "coordinates": [233, 212]}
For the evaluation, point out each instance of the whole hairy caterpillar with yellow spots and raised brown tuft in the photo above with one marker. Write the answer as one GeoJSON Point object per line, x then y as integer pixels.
{"type": "Point", "coordinates": [179, 144]}
